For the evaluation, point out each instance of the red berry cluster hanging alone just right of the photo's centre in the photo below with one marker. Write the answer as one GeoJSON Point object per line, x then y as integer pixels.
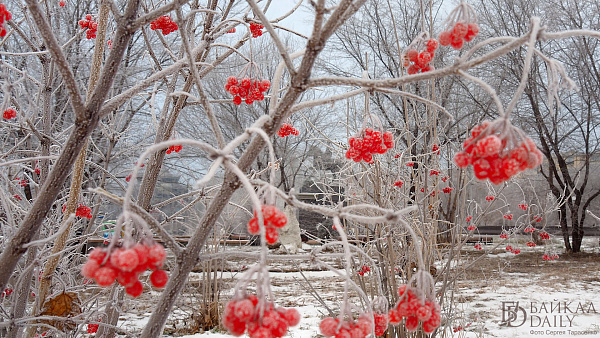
{"type": "Point", "coordinates": [372, 142]}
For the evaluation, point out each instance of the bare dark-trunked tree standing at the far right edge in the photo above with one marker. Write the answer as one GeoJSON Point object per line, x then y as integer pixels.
{"type": "Point", "coordinates": [566, 127]}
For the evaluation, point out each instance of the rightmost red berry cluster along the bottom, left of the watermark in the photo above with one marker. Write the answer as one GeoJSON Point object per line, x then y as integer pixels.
{"type": "Point", "coordinates": [411, 307]}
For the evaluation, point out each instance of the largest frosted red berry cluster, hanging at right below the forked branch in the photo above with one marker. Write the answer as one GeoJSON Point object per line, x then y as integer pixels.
{"type": "Point", "coordinates": [491, 160]}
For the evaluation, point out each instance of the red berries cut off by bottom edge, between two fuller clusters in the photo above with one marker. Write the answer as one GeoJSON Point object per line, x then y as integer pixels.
{"type": "Point", "coordinates": [350, 328]}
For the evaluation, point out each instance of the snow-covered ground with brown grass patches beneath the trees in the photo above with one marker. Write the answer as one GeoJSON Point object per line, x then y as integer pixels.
{"type": "Point", "coordinates": [537, 298]}
